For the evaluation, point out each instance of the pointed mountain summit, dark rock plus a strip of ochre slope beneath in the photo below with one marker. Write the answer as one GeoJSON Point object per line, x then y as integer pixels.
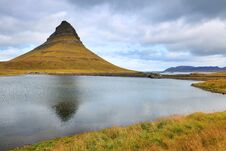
{"type": "Point", "coordinates": [64, 31]}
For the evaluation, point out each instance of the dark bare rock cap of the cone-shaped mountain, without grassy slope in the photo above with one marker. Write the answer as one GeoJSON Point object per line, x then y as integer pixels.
{"type": "Point", "coordinates": [64, 29]}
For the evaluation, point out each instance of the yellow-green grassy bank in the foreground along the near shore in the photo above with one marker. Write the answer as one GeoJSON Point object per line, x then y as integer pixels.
{"type": "Point", "coordinates": [196, 132]}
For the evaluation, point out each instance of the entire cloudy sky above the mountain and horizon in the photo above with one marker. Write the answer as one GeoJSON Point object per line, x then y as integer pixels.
{"type": "Point", "coordinates": [145, 35]}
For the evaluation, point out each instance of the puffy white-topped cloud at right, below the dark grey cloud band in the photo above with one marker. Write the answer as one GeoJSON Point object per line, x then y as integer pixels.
{"type": "Point", "coordinates": [207, 37]}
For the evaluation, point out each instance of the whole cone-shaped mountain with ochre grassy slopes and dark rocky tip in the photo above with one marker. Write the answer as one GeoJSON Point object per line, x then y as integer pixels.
{"type": "Point", "coordinates": [63, 52]}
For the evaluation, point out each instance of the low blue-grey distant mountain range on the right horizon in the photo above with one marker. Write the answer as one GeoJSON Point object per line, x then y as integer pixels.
{"type": "Point", "coordinates": [195, 69]}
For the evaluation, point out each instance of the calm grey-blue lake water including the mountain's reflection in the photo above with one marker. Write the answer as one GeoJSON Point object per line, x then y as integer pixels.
{"type": "Point", "coordinates": [40, 107]}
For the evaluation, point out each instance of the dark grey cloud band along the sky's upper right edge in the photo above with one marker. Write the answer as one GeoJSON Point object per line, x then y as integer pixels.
{"type": "Point", "coordinates": [163, 10]}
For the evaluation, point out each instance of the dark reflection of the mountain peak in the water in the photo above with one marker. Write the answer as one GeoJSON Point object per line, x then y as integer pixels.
{"type": "Point", "coordinates": [65, 98]}
